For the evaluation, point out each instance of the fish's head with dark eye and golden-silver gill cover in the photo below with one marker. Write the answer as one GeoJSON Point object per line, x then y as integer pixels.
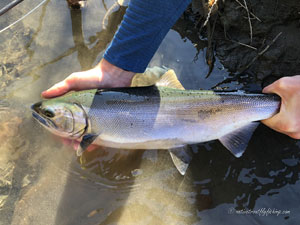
{"type": "Point", "coordinates": [64, 119]}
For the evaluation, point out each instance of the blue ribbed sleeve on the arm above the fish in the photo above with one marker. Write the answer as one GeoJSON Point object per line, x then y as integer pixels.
{"type": "Point", "coordinates": [144, 26]}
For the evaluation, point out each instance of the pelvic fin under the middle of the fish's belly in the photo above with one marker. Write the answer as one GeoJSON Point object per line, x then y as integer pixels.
{"type": "Point", "coordinates": [181, 158]}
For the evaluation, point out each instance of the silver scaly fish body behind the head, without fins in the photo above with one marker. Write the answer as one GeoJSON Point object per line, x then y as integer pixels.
{"type": "Point", "coordinates": [162, 118]}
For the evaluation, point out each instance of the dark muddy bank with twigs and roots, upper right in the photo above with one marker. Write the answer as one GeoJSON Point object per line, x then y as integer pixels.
{"type": "Point", "coordinates": [253, 53]}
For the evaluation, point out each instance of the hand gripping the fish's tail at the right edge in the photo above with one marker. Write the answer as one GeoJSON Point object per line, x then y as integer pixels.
{"type": "Point", "coordinates": [287, 121]}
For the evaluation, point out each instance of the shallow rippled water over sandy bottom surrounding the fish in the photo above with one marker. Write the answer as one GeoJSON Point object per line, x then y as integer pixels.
{"type": "Point", "coordinates": [43, 182]}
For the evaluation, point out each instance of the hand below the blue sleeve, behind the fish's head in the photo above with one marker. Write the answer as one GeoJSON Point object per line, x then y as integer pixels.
{"type": "Point", "coordinates": [102, 75]}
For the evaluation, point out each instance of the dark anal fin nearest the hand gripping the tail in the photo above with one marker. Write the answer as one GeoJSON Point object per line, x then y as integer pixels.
{"type": "Point", "coordinates": [237, 141]}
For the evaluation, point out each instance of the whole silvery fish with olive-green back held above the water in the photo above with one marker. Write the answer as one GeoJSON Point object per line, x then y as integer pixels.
{"type": "Point", "coordinates": [159, 116]}
